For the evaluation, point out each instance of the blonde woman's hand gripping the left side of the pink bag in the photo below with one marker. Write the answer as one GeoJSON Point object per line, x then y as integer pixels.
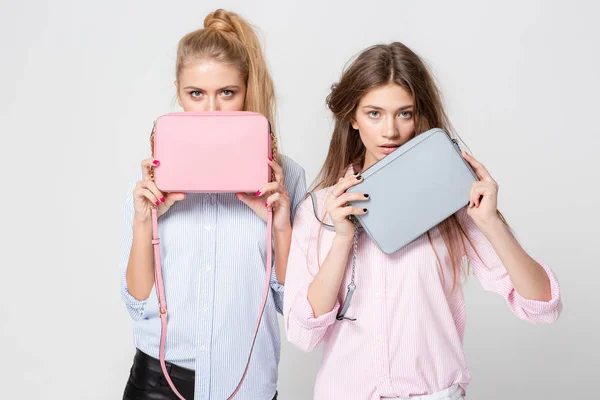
{"type": "Point", "coordinates": [147, 196]}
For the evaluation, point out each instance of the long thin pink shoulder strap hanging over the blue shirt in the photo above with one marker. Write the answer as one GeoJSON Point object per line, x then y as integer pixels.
{"type": "Point", "coordinates": [162, 304]}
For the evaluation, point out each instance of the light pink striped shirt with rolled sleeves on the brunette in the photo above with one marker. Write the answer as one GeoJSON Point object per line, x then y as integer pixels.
{"type": "Point", "coordinates": [407, 339]}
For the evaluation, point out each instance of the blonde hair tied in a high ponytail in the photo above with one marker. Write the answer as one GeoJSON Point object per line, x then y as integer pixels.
{"type": "Point", "coordinates": [228, 38]}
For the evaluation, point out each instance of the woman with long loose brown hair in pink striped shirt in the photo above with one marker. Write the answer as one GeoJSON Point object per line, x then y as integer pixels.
{"type": "Point", "coordinates": [402, 335]}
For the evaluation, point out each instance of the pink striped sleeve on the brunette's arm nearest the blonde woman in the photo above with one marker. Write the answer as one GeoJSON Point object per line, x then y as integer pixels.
{"type": "Point", "coordinates": [302, 328]}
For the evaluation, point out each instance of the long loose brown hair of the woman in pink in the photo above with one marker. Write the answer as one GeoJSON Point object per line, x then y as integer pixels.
{"type": "Point", "coordinates": [377, 66]}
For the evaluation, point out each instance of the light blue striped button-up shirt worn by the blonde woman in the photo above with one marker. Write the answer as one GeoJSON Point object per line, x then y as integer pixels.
{"type": "Point", "coordinates": [213, 255]}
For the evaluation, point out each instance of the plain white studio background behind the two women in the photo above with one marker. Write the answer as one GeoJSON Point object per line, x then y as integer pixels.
{"type": "Point", "coordinates": [81, 83]}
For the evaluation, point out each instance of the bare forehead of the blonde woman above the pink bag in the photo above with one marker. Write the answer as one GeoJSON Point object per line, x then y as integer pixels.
{"type": "Point", "coordinates": [210, 75]}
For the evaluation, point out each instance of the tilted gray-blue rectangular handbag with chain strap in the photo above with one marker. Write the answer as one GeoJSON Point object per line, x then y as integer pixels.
{"type": "Point", "coordinates": [413, 189]}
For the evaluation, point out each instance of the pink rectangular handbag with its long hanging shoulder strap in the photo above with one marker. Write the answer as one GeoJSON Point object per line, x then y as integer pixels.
{"type": "Point", "coordinates": [210, 152]}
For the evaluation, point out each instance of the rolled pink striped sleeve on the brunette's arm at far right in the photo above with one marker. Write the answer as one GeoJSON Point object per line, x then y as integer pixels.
{"type": "Point", "coordinates": [493, 276]}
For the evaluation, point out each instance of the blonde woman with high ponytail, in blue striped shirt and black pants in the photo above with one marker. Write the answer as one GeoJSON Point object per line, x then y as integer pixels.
{"type": "Point", "coordinates": [212, 245]}
